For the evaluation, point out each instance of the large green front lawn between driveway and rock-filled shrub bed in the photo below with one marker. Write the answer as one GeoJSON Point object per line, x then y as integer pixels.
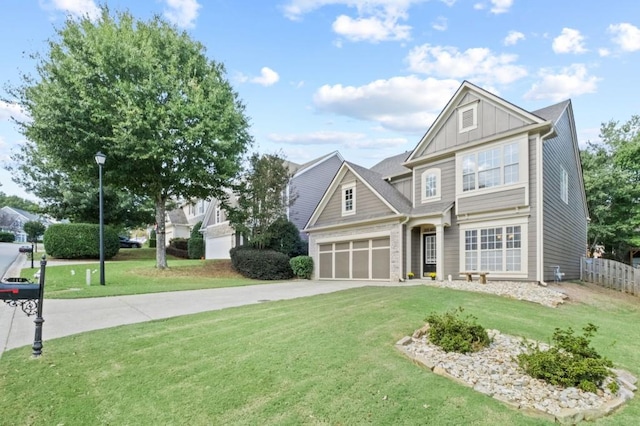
{"type": "Point", "coordinates": [325, 359]}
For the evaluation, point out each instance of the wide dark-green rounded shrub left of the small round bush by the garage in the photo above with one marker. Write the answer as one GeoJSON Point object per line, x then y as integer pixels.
{"type": "Point", "coordinates": [261, 264]}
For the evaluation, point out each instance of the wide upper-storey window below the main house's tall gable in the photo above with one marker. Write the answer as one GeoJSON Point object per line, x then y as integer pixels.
{"type": "Point", "coordinates": [492, 167]}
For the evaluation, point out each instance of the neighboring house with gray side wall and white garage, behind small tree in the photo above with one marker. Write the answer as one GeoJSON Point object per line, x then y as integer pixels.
{"type": "Point", "coordinates": [308, 183]}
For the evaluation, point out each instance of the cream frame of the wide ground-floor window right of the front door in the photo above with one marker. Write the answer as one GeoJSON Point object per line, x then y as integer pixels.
{"type": "Point", "coordinates": [505, 253]}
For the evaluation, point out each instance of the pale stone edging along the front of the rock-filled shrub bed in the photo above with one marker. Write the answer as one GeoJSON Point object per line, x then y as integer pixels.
{"type": "Point", "coordinates": [626, 381]}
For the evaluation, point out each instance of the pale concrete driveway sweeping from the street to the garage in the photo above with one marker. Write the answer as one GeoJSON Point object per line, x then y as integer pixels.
{"type": "Point", "coordinates": [67, 317]}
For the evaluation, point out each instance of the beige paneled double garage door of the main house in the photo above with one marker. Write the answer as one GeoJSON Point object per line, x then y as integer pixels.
{"type": "Point", "coordinates": [367, 259]}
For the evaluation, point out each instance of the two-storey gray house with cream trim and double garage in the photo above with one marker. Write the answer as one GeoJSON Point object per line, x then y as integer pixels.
{"type": "Point", "coordinates": [490, 187]}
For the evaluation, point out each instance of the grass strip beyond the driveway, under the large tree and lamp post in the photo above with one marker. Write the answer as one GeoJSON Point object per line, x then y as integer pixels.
{"type": "Point", "coordinates": [133, 271]}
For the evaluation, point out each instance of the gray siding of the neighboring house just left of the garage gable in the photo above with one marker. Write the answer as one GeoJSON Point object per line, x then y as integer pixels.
{"type": "Point", "coordinates": [309, 187]}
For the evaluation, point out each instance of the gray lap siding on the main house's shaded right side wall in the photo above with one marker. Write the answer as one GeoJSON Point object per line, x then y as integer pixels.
{"type": "Point", "coordinates": [565, 225]}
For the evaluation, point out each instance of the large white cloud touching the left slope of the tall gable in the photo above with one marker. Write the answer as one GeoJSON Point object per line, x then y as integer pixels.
{"type": "Point", "coordinates": [399, 103]}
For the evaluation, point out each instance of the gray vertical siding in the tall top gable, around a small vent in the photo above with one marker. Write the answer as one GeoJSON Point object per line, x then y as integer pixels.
{"type": "Point", "coordinates": [492, 120]}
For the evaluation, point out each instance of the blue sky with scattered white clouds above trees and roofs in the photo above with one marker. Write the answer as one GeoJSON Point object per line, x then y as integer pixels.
{"type": "Point", "coordinates": [368, 77]}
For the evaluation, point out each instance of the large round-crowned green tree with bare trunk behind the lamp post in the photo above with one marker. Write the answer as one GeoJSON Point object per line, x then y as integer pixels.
{"type": "Point", "coordinates": [145, 95]}
